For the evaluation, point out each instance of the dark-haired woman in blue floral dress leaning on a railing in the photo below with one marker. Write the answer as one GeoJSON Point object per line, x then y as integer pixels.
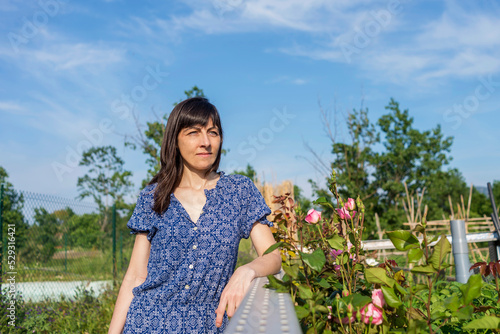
{"type": "Point", "coordinates": [188, 223]}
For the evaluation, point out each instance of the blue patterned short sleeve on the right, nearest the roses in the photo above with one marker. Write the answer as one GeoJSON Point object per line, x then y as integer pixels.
{"type": "Point", "coordinates": [254, 206]}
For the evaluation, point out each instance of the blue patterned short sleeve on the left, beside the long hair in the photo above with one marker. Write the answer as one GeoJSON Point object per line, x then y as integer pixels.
{"type": "Point", "coordinates": [143, 217]}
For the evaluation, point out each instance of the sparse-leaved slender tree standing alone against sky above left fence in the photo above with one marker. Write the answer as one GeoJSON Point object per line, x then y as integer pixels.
{"type": "Point", "coordinates": [106, 181]}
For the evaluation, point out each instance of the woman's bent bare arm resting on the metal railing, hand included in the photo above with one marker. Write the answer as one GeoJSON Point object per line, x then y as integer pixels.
{"type": "Point", "coordinates": [264, 265]}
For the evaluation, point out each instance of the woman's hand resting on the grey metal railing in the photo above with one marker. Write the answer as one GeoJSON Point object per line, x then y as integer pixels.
{"type": "Point", "coordinates": [234, 292]}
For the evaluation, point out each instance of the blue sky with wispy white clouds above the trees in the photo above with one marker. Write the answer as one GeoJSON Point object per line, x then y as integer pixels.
{"type": "Point", "coordinates": [74, 73]}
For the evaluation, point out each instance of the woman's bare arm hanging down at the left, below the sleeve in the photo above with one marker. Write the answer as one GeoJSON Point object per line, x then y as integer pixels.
{"type": "Point", "coordinates": [136, 275]}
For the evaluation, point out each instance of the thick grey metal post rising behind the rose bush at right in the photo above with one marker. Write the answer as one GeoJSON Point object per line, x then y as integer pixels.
{"type": "Point", "coordinates": [460, 250]}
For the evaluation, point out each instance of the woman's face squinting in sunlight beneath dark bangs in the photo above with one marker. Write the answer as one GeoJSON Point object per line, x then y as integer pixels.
{"type": "Point", "coordinates": [199, 145]}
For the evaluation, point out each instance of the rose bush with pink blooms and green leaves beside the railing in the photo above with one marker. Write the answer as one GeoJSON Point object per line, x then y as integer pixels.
{"type": "Point", "coordinates": [336, 291]}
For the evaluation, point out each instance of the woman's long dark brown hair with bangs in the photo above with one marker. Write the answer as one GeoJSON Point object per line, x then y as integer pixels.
{"type": "Point", "coordinates": [190, 112]}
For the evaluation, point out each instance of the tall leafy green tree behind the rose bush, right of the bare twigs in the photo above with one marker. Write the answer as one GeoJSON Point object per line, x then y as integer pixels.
{"type": "Point", "coordinates": [416, 158]}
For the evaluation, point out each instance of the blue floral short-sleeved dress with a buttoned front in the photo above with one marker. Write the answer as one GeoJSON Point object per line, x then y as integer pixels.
{"type": "Point", "coordinates": [190, 263]}
